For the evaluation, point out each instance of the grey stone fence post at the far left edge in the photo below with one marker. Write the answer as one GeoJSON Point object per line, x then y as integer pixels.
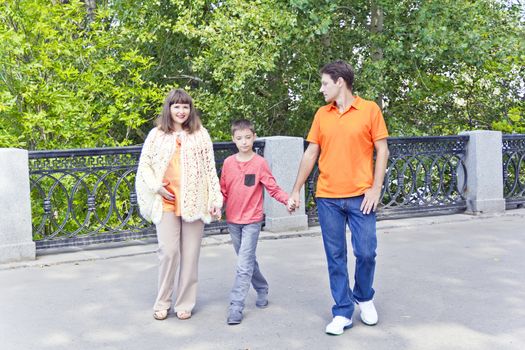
{"type": "Point", "coordinates": [16, 240]}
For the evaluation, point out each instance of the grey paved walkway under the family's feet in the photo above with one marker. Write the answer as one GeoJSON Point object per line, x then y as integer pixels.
{"type": "Point", "coordinates": [449, 282]}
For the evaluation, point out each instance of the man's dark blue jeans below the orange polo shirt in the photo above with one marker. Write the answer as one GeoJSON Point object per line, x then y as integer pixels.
{"type": "Point", "coordinates": [334, 214]}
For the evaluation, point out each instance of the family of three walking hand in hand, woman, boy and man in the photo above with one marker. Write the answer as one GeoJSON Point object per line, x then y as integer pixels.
{"type": "Point", "coordinates": [179, 191]}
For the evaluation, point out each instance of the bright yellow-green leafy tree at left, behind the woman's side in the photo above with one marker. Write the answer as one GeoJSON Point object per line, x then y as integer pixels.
{"type": "Point", "coordinates": [68, 78]}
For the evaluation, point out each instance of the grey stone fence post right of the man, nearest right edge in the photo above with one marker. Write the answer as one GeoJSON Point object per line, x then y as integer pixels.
{"type": "Point", "coordinates": [484, 162]}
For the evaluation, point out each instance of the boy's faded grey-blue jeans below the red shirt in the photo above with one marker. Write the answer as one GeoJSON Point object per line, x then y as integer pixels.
{"type": "Point", "coordinates": [244, 239]}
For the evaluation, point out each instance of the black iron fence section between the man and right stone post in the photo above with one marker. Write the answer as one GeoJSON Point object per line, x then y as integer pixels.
{"type": "Point", "coordinates": [424, 174]}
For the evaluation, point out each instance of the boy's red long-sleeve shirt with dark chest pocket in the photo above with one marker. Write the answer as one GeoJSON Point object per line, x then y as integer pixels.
{"type": "Point", "coordinates": [242, 187]}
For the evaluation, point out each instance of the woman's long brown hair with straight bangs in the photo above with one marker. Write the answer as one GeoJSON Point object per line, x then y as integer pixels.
{"type": "Point", "coordinates": [165, 122]}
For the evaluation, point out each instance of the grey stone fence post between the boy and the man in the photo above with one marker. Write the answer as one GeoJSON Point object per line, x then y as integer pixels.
{"type": "Point", "coordinates": [283, 155]}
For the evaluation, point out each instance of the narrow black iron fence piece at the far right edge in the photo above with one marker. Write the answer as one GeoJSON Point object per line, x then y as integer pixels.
{"type": "Point", "coordinates": [514, 170]}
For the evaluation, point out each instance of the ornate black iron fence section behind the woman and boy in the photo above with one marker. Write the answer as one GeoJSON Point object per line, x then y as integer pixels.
{"type": "Point", "coordinates": [86, 196]}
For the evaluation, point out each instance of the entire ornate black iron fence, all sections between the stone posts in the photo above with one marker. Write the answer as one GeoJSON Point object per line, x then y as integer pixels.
{"type": "Point", "coordinates": [87, 196]}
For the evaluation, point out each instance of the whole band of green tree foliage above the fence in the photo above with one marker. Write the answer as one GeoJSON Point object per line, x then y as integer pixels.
{"type": "Point", "coordinates": [77, 76]}
